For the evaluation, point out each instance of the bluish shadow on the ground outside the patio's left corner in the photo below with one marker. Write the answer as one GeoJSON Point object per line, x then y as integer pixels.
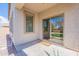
{"type": "Point", "coordinates": [11, 48]}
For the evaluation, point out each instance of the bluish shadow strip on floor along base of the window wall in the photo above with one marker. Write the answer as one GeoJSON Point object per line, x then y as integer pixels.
{"type": "Point", "coordinates": [26, 45]}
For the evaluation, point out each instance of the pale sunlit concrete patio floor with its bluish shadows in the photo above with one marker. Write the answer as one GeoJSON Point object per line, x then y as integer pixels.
{"type": "Point", "coordinates": [34, 48]}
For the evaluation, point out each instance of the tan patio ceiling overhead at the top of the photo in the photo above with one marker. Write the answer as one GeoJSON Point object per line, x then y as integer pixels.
{"type": "Point", "coordinates": [38, 7]}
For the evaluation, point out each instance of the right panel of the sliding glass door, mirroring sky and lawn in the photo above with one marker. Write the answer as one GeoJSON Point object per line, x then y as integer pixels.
{"type": "Point", "coordinates": [56, 28]}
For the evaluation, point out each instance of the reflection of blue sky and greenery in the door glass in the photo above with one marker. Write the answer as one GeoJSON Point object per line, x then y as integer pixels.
{"type": "Point", "coordinates": [57, 27]}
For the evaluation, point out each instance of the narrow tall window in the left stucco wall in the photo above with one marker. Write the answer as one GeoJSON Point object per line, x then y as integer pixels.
{"type": "Point", "coordinates": [29, 23]}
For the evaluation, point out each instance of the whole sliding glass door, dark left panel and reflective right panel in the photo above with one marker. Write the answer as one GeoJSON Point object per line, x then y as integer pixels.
{"type": "Point", "coordinates": [53, 29]}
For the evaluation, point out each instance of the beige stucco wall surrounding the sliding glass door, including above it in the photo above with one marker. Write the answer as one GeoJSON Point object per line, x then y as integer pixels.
{"type": "Point", "coordinates": [71, 22]}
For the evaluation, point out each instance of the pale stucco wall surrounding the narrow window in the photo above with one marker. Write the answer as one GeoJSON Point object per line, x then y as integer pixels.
{"type": "Point", "coordinates": [20, 36]}
